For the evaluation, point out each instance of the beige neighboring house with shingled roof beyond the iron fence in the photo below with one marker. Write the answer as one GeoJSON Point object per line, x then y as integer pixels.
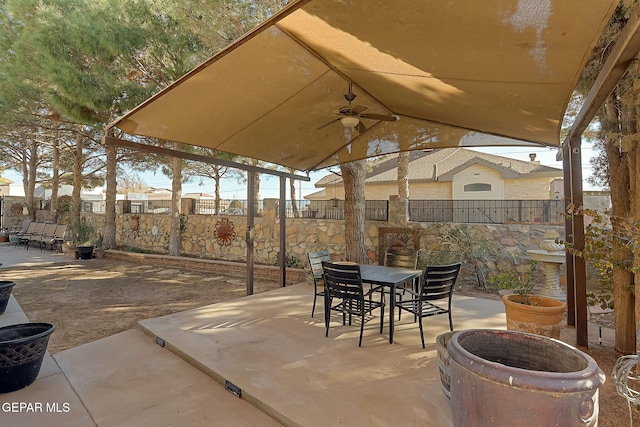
{"type": "Point", "coordinates": [456, 174]}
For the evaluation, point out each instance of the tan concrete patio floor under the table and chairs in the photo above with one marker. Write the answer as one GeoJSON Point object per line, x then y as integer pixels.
{"type": "Point", "coordinates": [269, 347]}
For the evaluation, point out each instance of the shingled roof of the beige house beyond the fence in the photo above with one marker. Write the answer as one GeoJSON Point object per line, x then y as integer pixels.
{"type": "Point", "coordinates": [441, 165]}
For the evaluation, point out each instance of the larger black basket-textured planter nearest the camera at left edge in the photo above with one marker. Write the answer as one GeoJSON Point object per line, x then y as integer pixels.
{"type": "Point", "coordinates": [22, 349]}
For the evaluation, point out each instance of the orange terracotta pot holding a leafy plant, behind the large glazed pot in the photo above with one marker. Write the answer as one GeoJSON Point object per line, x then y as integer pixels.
{"type": "Point", "coordinates": [543, 318]}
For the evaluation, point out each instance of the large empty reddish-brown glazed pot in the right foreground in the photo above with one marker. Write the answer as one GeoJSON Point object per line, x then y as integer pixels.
{"type": "Point", "coordinates": [509, 378]}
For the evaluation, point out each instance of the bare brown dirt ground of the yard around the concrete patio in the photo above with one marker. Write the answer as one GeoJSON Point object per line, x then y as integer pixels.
{"type": "Point", "coordinates": [95, 299]}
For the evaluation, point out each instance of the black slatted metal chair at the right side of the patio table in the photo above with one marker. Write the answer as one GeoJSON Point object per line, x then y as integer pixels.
{"type": "Point", "coordinates": [436, 284]}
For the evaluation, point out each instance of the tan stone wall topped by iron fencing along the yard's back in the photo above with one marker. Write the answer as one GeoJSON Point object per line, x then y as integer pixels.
{"type": "Point", "coordinates": [151, 232]}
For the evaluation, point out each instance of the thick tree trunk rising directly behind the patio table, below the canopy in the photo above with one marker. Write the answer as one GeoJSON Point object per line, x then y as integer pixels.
{"type": "Point", "coordinates": [353, 176]}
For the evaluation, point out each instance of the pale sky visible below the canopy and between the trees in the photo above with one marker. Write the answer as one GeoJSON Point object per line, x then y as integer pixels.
{"type": "Point", "coordinates": [270, 185]}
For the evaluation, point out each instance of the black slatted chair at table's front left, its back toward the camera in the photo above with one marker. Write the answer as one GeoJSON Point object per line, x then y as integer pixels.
{"type": "Point", "coordinates": [344, 282]}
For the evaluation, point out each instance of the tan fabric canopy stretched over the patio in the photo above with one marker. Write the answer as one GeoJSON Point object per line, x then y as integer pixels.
{"type": "Point", "coordinates": [453, 73]}
